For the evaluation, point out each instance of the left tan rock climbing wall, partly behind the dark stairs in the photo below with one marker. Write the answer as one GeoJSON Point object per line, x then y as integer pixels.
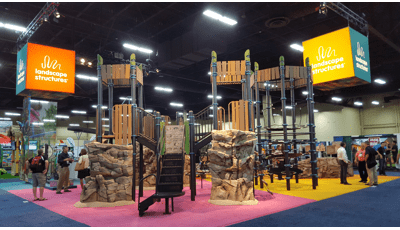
{"type": "Point", "coordinates": [111, 172]}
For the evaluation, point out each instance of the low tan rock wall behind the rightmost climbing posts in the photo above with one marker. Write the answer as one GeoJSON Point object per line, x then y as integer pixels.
{"type": "Point", "coordinates": [328, 167]}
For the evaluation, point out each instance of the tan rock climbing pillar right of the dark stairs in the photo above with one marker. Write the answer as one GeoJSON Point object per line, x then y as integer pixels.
{"type": "Point", "coordinates": [231, 165]}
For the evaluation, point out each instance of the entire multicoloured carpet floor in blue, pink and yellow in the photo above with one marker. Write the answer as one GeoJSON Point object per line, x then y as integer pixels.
{"type": "Point", "coordinates": [301, 206]}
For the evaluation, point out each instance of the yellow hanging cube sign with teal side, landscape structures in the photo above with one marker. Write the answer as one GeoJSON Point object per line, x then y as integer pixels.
{"type": "Point", "coordinates": [339, 59]}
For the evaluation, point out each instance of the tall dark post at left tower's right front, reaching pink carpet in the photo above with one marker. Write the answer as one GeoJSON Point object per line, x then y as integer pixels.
{"type": "Point", "coordinates": [133, 97]}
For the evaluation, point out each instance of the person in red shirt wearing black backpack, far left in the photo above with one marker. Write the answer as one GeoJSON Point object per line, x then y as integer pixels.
{"type": "Point", "coordinates": [39, 166]}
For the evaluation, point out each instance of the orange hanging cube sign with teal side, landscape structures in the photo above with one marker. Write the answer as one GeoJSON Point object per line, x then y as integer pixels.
{"type": "Point", "coordinates": [45, 72]}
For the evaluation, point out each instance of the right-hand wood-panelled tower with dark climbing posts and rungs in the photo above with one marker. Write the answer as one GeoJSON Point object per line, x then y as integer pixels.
{"type": "Point", "coordinates": [242, 118]}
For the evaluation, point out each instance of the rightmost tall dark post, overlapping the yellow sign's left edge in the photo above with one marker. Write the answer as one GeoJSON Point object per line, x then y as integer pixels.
{"type": "Point", "coordinates": [311, 125]}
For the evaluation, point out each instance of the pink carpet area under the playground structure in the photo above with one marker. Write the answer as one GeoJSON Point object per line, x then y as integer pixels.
{"type": "Point", "coordinates": [187, 213]}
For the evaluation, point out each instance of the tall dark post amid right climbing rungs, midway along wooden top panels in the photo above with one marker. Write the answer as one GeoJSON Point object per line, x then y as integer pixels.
{"type": "Point", "coordinates": [285, 140]}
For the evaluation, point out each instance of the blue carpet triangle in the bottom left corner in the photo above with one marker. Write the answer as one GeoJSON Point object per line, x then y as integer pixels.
{"type": "Point", "coordinates": [15, 213]}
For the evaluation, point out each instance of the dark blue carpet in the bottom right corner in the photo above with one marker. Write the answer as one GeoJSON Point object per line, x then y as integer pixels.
{"type": "Point", "coordinates": [370, 207]}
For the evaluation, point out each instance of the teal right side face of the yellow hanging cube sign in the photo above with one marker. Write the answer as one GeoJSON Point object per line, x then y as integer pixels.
{"type": "Point", "coordinates": [360, 50]}
